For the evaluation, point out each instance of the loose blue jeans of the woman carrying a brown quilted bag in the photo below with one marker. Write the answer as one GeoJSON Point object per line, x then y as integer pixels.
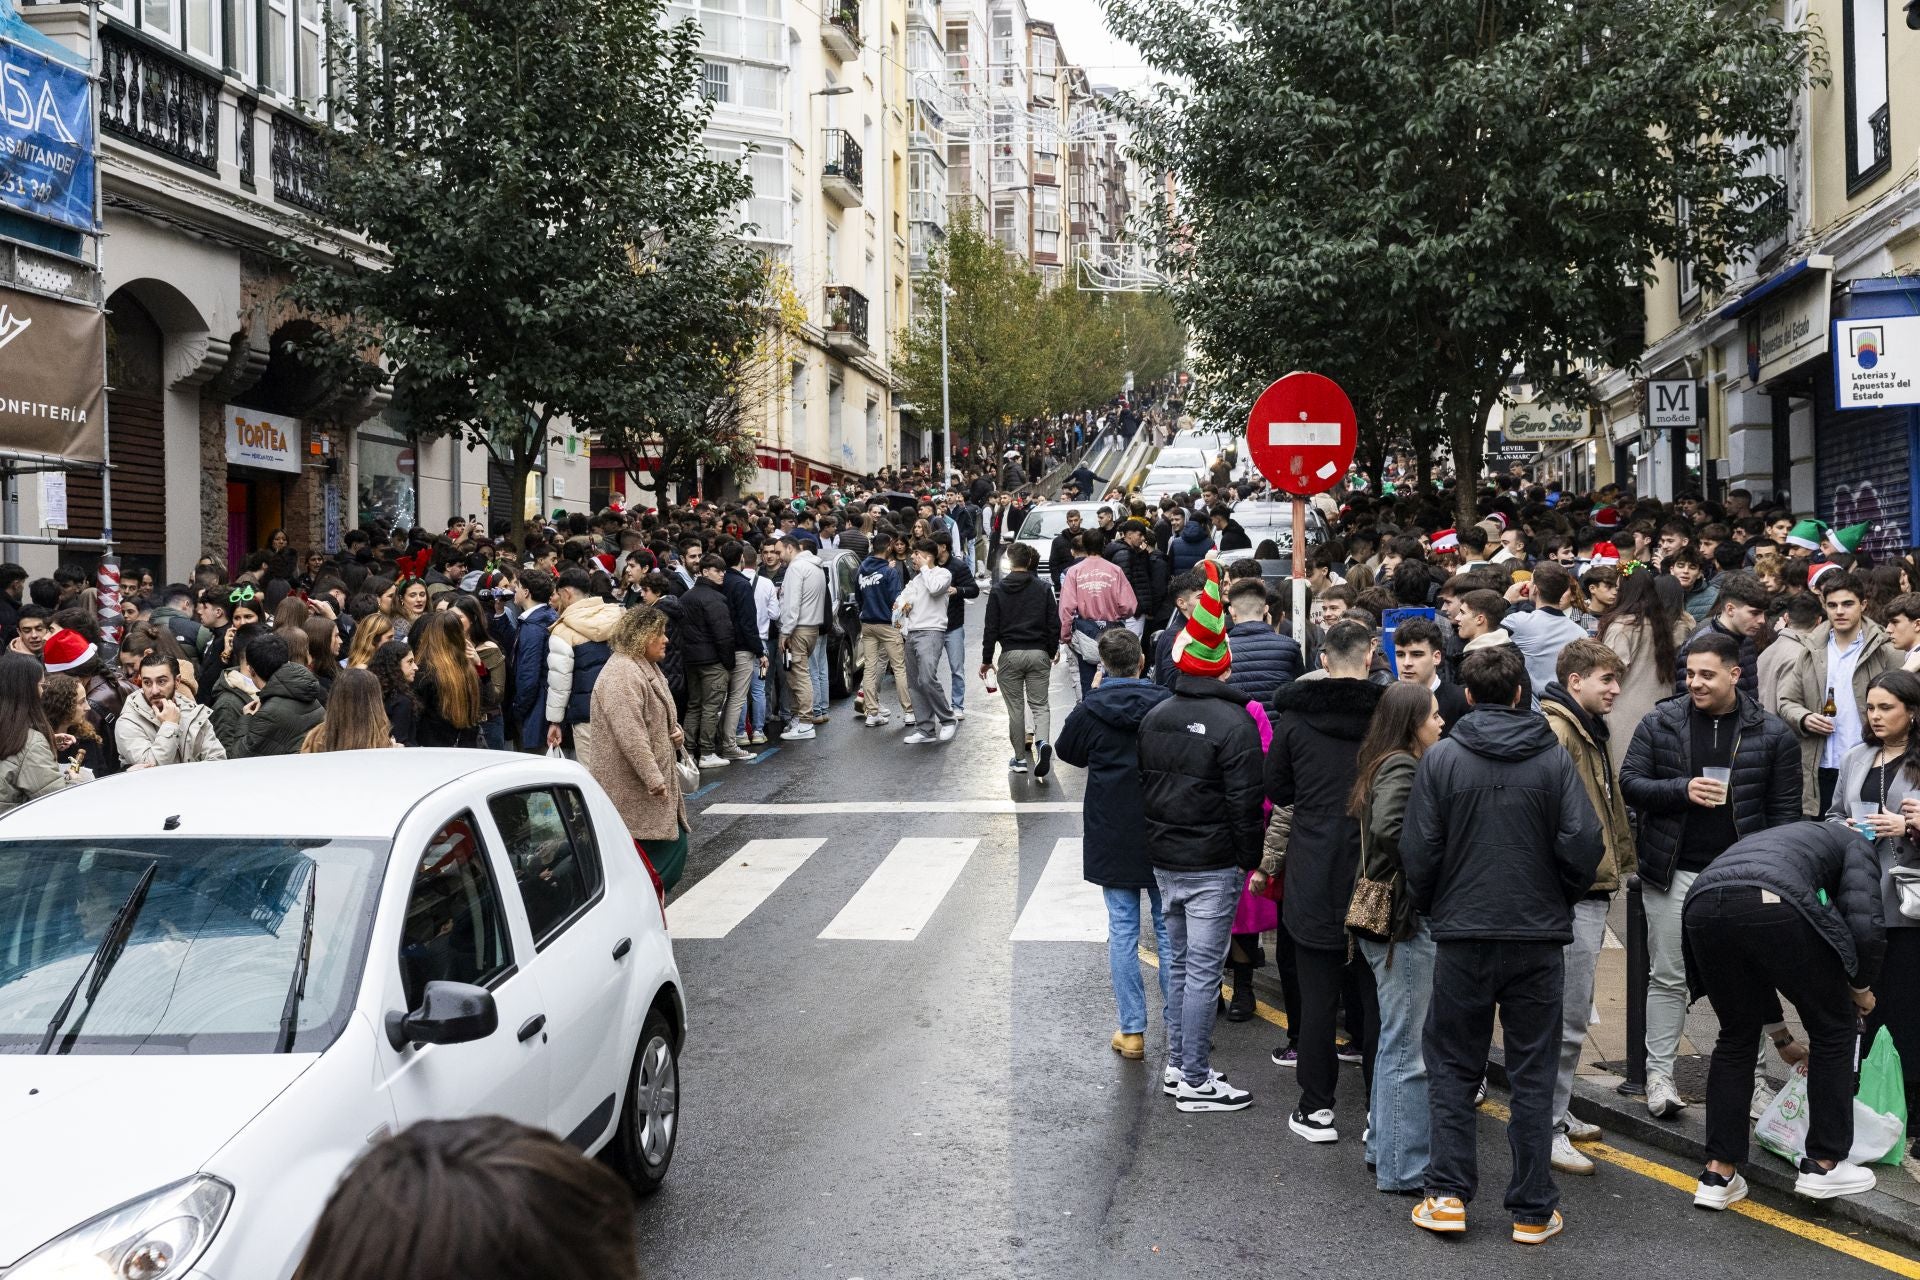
{"type": "Point", "coordinates": [1403, 1129]}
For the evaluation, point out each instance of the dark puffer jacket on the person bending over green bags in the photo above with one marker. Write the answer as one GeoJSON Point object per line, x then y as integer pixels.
{"type": "Point", "coordinates": [1798, 863]}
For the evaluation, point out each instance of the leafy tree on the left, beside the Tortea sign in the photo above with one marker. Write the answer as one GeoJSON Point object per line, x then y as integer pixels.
{"type": "Point", "coordinates": [550, 237]}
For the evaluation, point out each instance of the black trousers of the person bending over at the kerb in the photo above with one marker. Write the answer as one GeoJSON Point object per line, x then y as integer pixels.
{"type": "Point", "coordinates": [1752, 953]}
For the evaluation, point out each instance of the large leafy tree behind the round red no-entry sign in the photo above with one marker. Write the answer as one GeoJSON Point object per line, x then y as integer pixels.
{"type": "Point", "coordinates": [1422, 201]}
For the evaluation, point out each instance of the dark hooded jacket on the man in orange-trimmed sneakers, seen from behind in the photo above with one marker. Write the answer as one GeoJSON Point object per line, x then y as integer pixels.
{"type": "Point", "coordinates": [1499, 840]}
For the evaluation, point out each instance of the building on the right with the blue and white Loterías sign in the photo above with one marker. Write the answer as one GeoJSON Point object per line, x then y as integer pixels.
{"type": "Point", "coordinates": [1748, 383]}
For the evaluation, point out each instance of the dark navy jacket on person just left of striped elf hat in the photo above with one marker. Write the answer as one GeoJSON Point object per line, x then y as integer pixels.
{"type": "Point", "coordinates": [1103, 738]}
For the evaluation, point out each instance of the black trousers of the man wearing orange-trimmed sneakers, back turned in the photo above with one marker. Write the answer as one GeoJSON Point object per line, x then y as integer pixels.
{"type": "Point", "coordinates": [1524, 984]}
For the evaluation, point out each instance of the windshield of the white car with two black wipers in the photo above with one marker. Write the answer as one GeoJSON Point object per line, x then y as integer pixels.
{"type": "Point", "coordinates": [210, 959]}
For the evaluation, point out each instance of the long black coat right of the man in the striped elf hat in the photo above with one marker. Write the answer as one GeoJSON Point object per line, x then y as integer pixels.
{"type": "Point", "coordinates": [1318, 726]}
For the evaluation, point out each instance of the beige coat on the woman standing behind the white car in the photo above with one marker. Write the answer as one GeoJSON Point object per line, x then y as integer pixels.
{"type": "Point", "coordinates": [633, 747]}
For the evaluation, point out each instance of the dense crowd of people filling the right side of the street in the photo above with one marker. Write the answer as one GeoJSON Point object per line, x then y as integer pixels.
{"type": "Point", "coordinates": [1431, 790]}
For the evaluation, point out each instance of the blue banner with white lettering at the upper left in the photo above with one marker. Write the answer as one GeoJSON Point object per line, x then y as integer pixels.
{"type": "Point", "coordinates": [47, 139]}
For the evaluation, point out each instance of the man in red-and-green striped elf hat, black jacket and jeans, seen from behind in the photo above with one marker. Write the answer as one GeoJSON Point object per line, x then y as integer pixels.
{"type": "Point", "coordinates": [1201, 788]}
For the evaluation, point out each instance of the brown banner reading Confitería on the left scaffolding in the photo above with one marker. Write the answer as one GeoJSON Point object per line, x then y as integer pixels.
{"type": "Point", "coordinates": [53, 385]}
